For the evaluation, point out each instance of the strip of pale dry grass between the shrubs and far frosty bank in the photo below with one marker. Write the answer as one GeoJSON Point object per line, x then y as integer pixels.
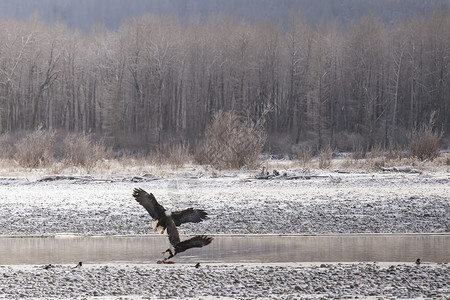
{"type": "Point", "coordinates": [146, 165]}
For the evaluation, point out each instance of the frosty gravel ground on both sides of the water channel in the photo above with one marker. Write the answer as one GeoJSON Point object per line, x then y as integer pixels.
{"type": "Point", "coordinates": [316, 202]}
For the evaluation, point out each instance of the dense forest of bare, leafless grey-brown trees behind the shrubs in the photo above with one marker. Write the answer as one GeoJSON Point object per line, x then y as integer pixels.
{"type": "Point", "coordinates": [156, 80]}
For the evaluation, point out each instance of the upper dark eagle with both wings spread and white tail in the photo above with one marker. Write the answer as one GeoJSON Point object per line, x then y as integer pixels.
{"type": "Point", "coordinates": [161, 216]}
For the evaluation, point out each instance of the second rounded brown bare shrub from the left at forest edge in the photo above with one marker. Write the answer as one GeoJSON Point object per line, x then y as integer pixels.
{"type": "Point", "coordinates": [80, 150]}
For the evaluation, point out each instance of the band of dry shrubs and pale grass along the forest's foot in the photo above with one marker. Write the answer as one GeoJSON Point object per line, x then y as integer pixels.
{"type": "Point", "coordinates": [232, 144]}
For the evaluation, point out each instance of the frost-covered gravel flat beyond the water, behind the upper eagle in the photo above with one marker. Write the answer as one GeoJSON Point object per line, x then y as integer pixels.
{"type": "Point", "coordinates": [342, 203]}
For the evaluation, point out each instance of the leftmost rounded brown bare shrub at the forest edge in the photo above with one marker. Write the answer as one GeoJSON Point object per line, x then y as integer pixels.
{"type": "Point", "coordinates": [35, 150]}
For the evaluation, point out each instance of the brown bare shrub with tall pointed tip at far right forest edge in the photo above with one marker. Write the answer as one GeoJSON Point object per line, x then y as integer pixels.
{"type": "Point", "coordinates": [425, 142]}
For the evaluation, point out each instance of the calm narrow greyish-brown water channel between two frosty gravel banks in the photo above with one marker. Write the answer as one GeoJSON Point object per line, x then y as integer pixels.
{"type": "Point", "coordinates": [229, 249]}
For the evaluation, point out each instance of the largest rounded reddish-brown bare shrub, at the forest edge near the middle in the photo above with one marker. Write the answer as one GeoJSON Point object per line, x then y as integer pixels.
{"type": "Point", "coordinates": [231, 142]}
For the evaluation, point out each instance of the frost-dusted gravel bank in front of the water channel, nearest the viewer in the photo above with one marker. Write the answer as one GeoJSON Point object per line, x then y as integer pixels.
{"type": "Point", "coordinates": [229, 281]}
